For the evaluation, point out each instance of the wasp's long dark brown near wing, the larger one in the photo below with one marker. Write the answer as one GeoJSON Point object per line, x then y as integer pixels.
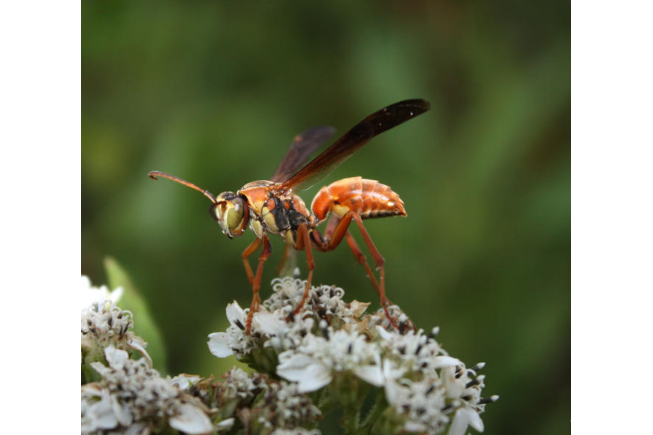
{"type": "Point", "coordinates": [355, 138]}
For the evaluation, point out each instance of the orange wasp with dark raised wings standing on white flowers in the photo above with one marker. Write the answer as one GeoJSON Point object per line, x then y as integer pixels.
{"type": "Point", "coordinates": [273, 207]}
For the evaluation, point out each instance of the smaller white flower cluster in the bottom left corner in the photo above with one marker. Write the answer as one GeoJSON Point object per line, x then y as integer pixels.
{"type": "Point", "coordinates": [133, 398]}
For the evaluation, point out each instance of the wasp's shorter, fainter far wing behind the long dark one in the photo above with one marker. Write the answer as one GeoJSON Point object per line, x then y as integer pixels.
{"type": "Point", "coordinates": [300, 150]}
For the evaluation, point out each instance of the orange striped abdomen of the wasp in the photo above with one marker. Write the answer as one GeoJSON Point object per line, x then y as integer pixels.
{"type": "Point", "coordinates": [368, 198]}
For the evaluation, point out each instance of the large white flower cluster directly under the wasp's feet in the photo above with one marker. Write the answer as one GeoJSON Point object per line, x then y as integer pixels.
{"type": "Point", "coordinates": [331, 343]}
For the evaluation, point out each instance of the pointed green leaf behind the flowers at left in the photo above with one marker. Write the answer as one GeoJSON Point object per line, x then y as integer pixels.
{"type": "Point", "coordinates": [144, 324]}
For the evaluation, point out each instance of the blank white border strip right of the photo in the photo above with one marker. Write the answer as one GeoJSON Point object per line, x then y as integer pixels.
{"type": "Point", "coordinates": [612, 218]}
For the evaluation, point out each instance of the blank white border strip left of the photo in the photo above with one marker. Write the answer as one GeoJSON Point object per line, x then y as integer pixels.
{"type": "Point", "coordinates": [40, 229]}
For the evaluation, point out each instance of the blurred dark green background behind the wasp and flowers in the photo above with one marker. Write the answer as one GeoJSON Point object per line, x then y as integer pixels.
{"type": "Point", "coordinates": [213, 92]}
